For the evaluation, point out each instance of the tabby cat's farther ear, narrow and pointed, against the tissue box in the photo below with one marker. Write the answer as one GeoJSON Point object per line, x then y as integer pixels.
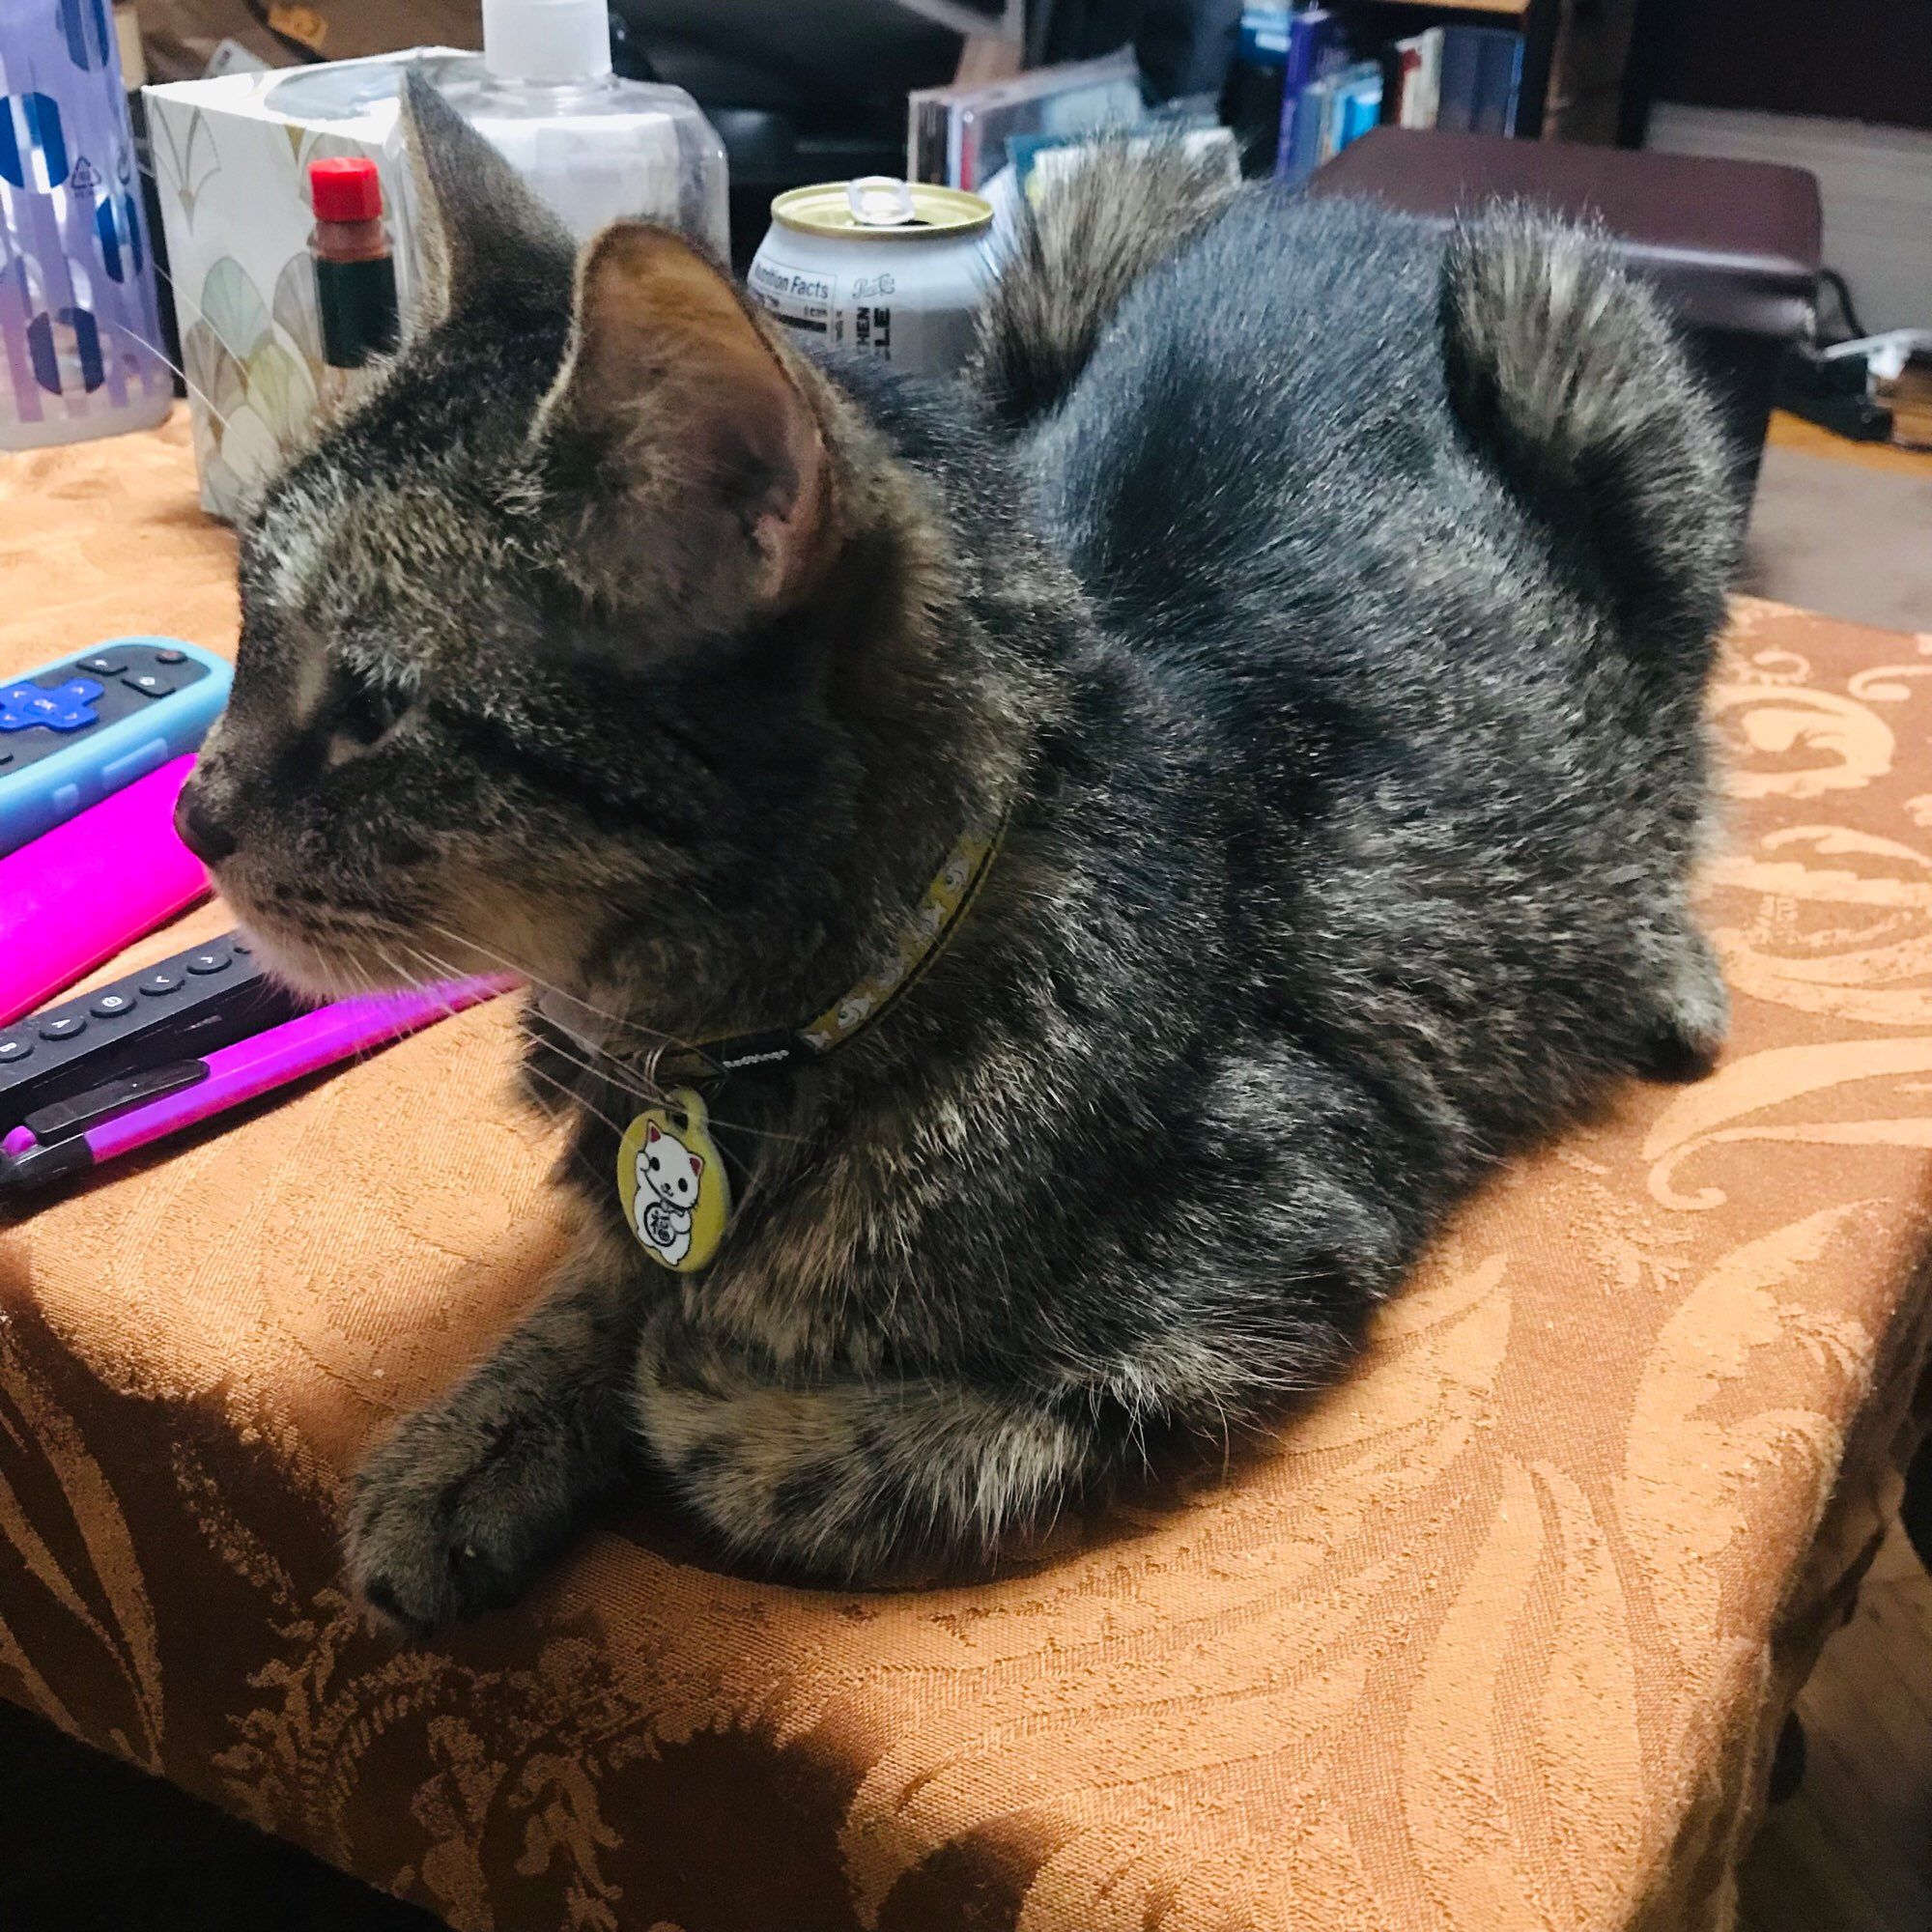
{"type": "Point", "coordinates": [480, 229]}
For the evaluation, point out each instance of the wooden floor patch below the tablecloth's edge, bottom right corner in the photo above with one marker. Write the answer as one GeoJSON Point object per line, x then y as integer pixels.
{"type": "Point", "coordinates": [1854, 1850]}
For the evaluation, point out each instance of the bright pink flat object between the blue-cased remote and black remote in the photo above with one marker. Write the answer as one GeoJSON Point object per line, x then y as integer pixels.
{"type": "Point", "coordinates": [82, 892]}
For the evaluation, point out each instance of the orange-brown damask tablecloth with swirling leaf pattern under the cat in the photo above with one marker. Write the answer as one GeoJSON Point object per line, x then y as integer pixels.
{"type": "Point", "coordinates": [1498, 1635]}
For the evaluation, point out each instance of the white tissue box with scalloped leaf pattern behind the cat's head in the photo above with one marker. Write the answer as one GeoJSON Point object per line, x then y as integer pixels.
{"type": "Point", "coordinates": [233, 167]}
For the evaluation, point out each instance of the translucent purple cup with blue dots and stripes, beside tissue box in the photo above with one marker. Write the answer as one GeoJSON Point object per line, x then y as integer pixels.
{"type": "Point", "coordinates": [78, 327]}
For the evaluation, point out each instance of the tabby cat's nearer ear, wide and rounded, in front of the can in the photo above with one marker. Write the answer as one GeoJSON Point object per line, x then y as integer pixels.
{"type": "Point", "coordinates": [700, 453]}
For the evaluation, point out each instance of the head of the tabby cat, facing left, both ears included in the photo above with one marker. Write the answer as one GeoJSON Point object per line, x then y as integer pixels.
{"type": "Point", "coordinates": [565, 650]}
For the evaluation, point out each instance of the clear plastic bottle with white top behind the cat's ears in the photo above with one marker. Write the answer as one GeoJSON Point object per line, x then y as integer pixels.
{"type": "Point", "coordinates": [594, 146]}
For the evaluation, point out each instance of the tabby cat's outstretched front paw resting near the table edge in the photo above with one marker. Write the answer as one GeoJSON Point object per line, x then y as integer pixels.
{"type": "Point", "coordinates": [443, 1525]}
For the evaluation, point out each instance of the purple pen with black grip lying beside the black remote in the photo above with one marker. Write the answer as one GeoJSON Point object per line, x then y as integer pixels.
{"type": "Point", "coordinates": [150, 1106]}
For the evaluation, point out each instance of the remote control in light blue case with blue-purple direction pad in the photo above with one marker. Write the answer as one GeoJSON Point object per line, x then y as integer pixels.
{"type": "Point", "coordinates": [86, 725]}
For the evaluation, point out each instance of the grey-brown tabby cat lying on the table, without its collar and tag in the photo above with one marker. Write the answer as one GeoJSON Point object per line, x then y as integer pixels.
{"type": "Point", "coordinates": [1322, 604]}
